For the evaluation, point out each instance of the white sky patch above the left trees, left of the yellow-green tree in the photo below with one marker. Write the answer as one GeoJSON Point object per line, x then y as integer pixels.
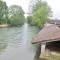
{"type": "Point", "coordinates": [23, 3]}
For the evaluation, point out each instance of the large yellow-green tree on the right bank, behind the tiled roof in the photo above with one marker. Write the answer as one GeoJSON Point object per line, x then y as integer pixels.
{"type": "Point", "coordinates": [41, 12]}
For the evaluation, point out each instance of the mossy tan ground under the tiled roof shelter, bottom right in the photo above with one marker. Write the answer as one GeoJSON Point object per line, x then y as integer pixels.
{"type": "Point", "coordinates": [51, 55]}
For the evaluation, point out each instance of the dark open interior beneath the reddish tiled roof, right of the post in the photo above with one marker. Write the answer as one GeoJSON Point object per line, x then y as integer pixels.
{"type": "Point", "coordinates": [53, 46]}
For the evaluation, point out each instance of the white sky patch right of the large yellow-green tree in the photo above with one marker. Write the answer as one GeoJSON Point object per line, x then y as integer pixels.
{"type": "Point", "coordinates": [55, 5]}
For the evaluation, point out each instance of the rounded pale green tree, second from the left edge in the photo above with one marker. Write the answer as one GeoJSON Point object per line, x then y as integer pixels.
{"type": "Point", "coordinates": [16, 15]}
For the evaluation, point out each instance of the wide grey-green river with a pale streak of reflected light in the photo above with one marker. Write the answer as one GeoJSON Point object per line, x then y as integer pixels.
{"type": "Point", "coordinates": [15, 43]}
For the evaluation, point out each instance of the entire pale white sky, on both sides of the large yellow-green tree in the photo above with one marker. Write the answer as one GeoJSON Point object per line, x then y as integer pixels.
{"type": "Point", "coordinates": [54, 4]}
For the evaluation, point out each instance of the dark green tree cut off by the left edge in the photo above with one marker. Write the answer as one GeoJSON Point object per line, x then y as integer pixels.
{"type": "Point", "coordinates": [3, 12]}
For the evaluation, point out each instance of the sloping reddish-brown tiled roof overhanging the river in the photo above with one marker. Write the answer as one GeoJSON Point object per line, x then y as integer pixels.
{"type": "Point", "coordinates": [48, 33]}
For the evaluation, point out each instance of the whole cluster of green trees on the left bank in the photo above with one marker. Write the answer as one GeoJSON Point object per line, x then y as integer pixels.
{"type": "Point", "coordinates": [13, 15]}
